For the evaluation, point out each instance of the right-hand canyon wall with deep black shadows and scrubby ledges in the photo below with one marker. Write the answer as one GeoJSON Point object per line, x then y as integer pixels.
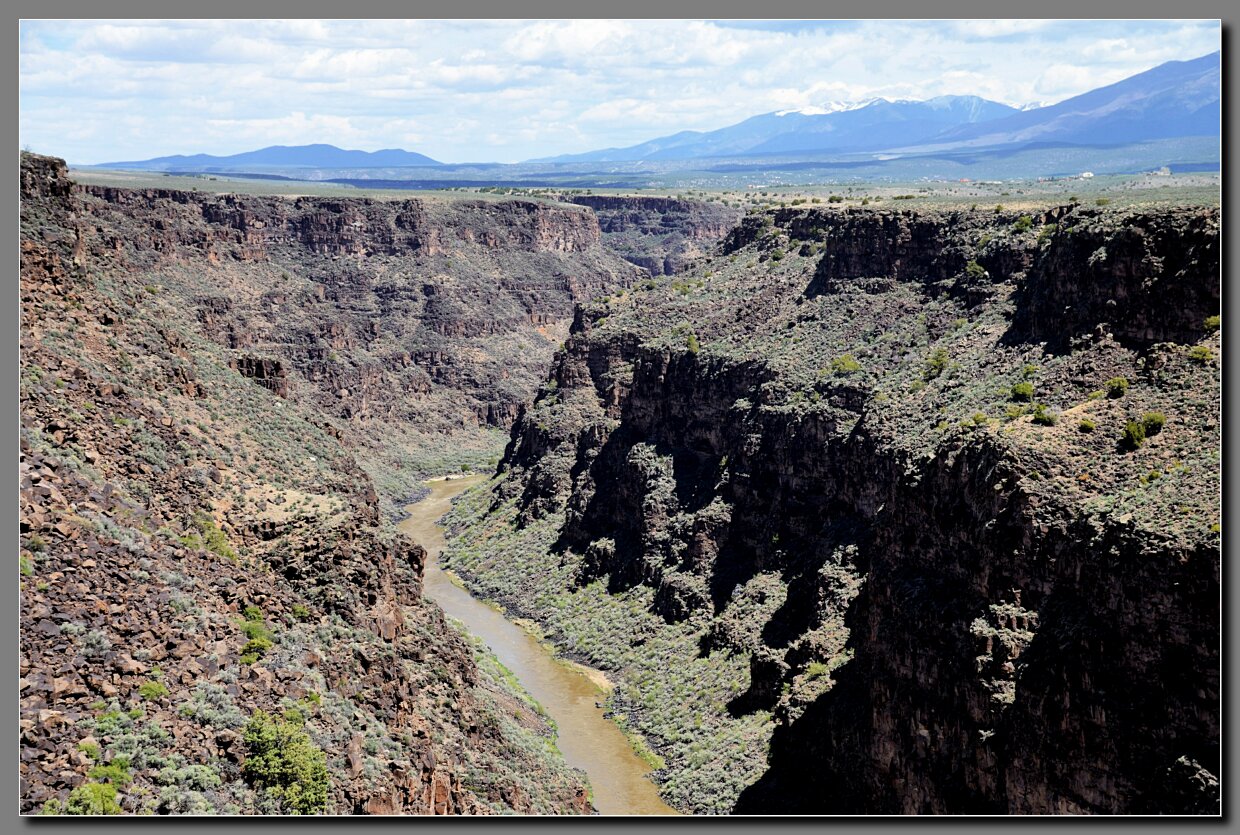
{"type": "Point", "coordinates": [883, 461]}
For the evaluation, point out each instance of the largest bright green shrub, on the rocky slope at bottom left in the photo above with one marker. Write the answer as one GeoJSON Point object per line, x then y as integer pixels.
{"type": "Point", "coordinates": [285, 762]}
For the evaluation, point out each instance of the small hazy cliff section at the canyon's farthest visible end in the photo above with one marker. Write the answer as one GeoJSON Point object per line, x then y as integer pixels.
{"type": "Point", "coordinates": [663, 235]}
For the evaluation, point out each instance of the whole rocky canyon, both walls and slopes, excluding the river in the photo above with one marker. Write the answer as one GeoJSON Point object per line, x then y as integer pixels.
{"type": "Point", "coordinates": [844, 501]}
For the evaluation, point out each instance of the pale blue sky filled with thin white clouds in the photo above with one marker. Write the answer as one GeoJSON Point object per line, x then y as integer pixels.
{"type": "Point", "coordinates": [510, 91]}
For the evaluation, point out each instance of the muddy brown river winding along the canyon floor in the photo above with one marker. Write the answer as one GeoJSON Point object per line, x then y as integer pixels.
{"type": "Point", "coordinates": [570, 693]}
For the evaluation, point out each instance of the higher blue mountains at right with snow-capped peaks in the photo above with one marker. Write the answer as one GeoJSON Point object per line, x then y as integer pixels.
{"type": "Point", "coordinates": [1179, 99]}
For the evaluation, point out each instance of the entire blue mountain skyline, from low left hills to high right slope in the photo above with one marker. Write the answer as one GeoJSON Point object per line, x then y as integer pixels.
{"type": "Point", "coordinates": [1174, 101]}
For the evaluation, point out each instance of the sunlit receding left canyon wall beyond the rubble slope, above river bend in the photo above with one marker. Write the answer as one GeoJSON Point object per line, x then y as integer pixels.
{"type": "Point", "coordinates": [401, 323]}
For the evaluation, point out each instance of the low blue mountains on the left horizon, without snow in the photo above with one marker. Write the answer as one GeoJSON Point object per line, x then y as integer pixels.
{"type": "Point", "coordinates": [325, 157]}
